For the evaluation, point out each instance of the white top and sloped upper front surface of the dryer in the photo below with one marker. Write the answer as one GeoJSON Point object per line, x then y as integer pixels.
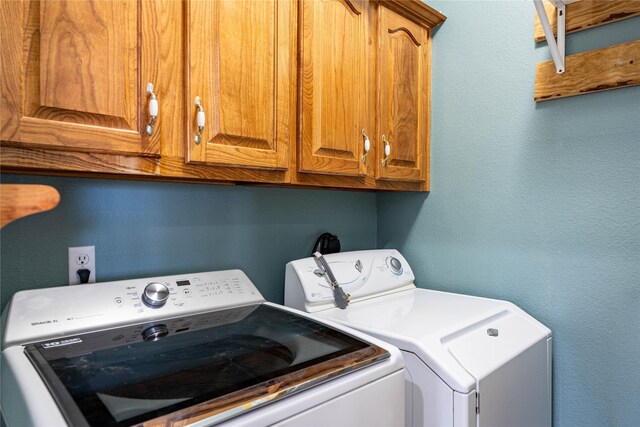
{"type": "Point", "coordinates": [446, 331]}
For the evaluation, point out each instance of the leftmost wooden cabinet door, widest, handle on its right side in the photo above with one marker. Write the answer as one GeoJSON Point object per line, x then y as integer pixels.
{"type": "Point", "coordinates": [75, 73]}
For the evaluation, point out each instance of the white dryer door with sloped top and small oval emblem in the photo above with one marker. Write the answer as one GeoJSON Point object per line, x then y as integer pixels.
{"type": "Point", "coordinates": [510, 358]}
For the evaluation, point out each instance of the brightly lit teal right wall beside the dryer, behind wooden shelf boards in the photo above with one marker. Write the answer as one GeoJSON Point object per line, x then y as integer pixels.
{"type": "Point", "coordinates": [534, 203]}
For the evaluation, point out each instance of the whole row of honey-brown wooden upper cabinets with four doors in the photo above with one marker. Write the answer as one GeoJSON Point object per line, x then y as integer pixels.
{"type": "Point", "coordinates": [290, 91]}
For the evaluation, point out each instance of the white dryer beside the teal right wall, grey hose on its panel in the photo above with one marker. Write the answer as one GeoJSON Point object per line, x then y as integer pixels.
{"type": "Point", "coordinates": [469, 361]}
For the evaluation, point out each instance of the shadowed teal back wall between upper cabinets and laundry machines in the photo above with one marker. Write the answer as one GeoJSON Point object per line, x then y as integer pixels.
{"type": "Point", "coordinates": [143, 229]}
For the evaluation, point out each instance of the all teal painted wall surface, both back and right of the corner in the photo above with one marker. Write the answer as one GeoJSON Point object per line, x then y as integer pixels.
{"type": "Point", "coordinates": [535, 203]}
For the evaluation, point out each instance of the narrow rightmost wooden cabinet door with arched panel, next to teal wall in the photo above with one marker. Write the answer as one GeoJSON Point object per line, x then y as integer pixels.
{"type": "Point", "coordinates": [403, 98]}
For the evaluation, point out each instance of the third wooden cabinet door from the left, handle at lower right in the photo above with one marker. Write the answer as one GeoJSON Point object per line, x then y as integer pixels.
{"type": "Point", "coordinates": [337, 92]}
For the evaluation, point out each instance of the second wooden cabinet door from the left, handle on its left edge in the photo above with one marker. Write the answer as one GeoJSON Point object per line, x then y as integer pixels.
{"type": "Point", "coordinates": [242, 67]}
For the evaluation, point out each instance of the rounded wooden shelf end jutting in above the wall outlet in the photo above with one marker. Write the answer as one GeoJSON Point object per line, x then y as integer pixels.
{"type": "Point", "coordinates": [19, 200]}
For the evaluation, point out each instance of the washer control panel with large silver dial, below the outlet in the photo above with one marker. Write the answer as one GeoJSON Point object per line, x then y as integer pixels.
{"type": "Point", "coordinates": [41, 313]}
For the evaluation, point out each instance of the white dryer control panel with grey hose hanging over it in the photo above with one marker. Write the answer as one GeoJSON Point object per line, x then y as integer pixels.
{"type": "Point", "coordinates": [362, 274]}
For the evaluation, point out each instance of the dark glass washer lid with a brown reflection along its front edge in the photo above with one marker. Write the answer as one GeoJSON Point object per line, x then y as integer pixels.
{"type": "Point", "coordinates": [212, 365]}
